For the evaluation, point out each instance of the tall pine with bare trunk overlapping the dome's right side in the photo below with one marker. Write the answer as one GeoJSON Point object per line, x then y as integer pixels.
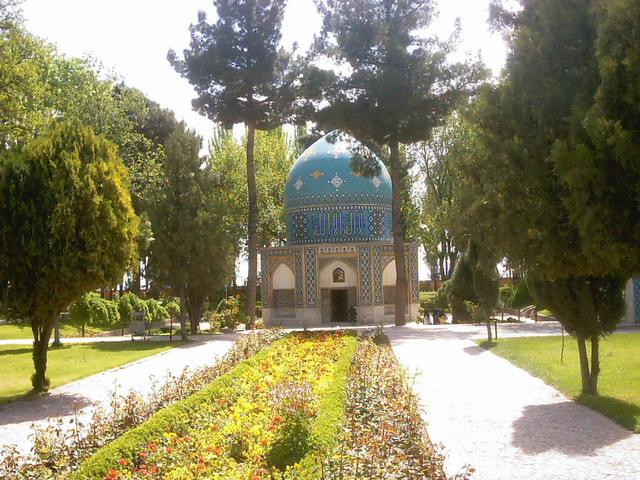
{"type": "Point", "coordinates": [396, 87]}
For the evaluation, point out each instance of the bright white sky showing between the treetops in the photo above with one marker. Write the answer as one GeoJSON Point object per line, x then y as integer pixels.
{"type": "Point", "coordinates": [131, 38]}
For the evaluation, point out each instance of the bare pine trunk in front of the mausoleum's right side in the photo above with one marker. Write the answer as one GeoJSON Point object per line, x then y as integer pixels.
{"type": "Point", "coordinates": [398, 235]}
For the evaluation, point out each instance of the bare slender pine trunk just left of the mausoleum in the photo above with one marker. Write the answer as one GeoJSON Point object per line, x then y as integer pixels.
{"type": "Point", "coordinates": [252, 242]}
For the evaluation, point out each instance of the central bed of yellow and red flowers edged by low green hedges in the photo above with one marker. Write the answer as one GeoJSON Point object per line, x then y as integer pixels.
{"type": "Point", "coordinates": [273, 412]}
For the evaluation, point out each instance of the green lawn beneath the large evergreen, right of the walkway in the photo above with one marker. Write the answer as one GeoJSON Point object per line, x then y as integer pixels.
{"type": "Point", "coordinates": [619, 384]}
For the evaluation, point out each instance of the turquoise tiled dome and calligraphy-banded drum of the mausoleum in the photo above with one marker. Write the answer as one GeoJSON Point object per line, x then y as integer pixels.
{"type": "Point", "coordinates": [338, 191]}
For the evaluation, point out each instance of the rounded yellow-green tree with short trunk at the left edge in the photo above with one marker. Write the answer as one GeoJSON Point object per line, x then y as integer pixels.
{"type": "Point", "coordinates": [68, 227]}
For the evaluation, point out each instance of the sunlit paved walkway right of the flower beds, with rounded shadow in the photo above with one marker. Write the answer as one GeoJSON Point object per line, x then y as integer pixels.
{"type": "Point", "coordinates": [500, 419]}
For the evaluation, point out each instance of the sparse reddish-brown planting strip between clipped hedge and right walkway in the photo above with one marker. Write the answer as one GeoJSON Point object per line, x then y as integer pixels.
{"type": "Point", "coordinates": [383, 436]}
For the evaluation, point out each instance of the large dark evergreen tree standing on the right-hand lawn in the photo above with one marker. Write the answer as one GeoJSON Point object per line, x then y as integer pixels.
{"type": "Point", "coordinates": [535, 187]}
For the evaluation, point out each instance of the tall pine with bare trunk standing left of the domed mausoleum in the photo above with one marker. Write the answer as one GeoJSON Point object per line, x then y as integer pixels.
{"type": "Point", "coordinates": [241, 75]}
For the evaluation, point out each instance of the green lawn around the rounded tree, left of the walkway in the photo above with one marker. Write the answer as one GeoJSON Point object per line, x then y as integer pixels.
{"type": "Point", "coordinates": [68, 363]}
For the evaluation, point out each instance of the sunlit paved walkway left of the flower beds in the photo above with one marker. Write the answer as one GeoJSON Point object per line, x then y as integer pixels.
{"type": "Point", "coordinates": [16, 418]}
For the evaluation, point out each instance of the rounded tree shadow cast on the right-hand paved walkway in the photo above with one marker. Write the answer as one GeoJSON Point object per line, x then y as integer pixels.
{"type": "Point", "coordinates": [564, 427]}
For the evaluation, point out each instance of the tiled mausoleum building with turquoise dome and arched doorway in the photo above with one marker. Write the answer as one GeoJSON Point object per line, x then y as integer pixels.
{"type": "Point", "coordinates": [339, 251]}
